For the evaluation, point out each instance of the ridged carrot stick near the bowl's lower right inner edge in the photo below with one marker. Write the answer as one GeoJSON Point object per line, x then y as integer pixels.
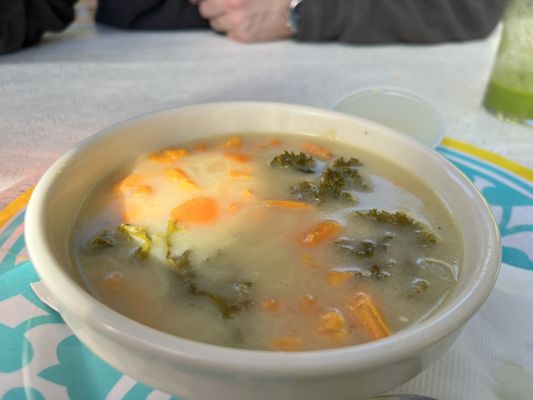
{"type": "Point", "coordinates": [365, 312]}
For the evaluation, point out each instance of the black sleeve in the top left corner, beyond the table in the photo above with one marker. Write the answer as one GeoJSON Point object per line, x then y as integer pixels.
{"type": "Point", "coordinates": [23, 22]}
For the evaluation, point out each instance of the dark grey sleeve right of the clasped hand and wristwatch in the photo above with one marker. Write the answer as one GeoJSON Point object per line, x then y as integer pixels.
{"type": "Point", "coordinates": [389, 21]}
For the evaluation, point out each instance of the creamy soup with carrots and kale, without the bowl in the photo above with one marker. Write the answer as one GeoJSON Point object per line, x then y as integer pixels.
{"type": "Point", "coordinates": [268, 242]}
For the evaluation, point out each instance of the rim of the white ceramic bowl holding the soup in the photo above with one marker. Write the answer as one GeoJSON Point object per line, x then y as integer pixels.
{"type": "Point", "coordinates": [197, 355]}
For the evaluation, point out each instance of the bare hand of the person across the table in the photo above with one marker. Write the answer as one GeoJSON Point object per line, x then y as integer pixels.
{"type": "Point", "coordinates": [247, 20]}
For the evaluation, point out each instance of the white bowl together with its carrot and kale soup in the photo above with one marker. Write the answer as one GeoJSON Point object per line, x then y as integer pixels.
{"type": "Point", "coordinates": [262, 250]}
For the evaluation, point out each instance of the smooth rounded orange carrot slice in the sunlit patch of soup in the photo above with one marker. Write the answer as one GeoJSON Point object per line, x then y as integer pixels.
{"type": "Point", "coordinates": [196, 211]}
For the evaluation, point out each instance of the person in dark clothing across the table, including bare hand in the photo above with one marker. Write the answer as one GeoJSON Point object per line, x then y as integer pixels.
{"type": "Point", "coordinates": [24, 22]}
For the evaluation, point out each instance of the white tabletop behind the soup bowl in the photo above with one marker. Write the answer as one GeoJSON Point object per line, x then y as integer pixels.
{"type": "Point", "coordinates": [73, 84]}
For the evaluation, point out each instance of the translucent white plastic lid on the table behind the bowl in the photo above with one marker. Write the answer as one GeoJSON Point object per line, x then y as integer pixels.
{"type": "Point", "coordinates": [399, 109]}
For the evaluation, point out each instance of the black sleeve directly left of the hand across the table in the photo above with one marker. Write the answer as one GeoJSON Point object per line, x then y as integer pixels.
{"type": "Point", "coordinates": [150, 14]}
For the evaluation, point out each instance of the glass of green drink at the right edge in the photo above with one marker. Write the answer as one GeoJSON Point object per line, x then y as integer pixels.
{"type": "Point", "coordinates": [509, 94]}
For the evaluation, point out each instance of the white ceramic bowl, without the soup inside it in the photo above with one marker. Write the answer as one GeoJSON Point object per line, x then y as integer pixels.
{"type": "Point", "coordinates": [201, 371]}
